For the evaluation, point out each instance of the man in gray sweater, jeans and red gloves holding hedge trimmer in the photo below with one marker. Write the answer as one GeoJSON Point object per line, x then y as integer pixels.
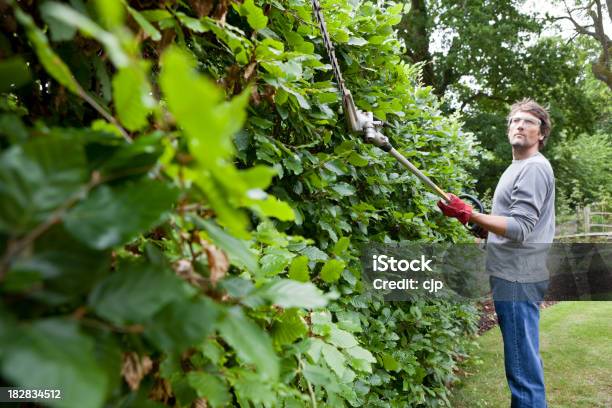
{"type": "Point", "coordinates": [520, 228]}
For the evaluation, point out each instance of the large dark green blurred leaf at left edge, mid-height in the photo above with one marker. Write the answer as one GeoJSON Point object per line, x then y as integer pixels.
{"type": "Point", "coordinates": [36, 178]}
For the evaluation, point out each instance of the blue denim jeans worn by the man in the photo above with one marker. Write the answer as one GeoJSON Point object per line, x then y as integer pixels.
{"type": "Point", "coordinates": [518, 313]}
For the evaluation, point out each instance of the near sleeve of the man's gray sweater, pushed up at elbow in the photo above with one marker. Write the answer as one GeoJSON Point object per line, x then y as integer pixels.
{"type": "Point", "coordinates": [527, 199]}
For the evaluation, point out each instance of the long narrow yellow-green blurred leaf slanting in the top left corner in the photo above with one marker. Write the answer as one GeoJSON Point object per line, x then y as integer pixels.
{"type": "Point", "coordinates": [48, 58]}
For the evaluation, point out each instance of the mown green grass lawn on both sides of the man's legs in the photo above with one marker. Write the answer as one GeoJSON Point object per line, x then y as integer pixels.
{"type": "Point", "coordinates": [576, 347]}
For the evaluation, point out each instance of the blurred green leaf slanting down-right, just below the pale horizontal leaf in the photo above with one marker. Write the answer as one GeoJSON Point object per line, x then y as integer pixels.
{"type": "Point", "coordinates": [251, 343]}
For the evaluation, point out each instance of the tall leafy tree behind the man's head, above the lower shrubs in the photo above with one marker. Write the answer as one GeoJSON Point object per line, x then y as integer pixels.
{"type": "Point", "coordinates": [484, 57]}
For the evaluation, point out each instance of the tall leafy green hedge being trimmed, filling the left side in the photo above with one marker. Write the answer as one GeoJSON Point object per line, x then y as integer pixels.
{"type": "Point", "coordinates": [181, 207]}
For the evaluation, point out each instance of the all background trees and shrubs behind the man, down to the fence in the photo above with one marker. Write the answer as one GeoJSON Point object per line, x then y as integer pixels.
{"type": "Point", "coordinates": [484, 56]}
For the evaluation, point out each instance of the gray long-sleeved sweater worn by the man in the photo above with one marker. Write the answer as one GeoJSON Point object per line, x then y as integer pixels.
{"type": "Point", "coordinates": [526, 195]}
